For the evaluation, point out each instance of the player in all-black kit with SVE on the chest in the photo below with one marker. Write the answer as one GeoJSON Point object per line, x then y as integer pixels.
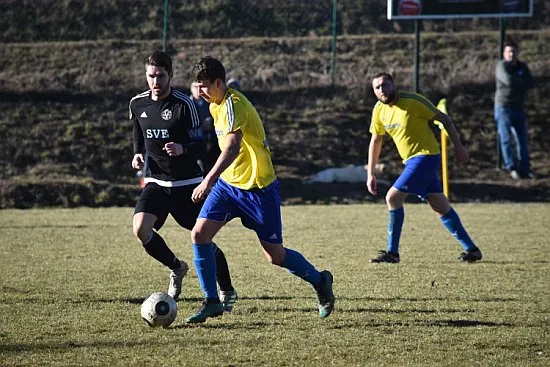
{"type": "Point", "coordinates": [167, 139]}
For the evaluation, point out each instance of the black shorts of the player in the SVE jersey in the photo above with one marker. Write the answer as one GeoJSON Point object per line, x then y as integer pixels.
{"type": "Point", "coordinates": [176, 201]}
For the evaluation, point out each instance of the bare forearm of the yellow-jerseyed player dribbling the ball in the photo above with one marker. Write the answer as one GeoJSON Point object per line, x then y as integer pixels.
{"type": "Point", "coordinates": [227, 156]}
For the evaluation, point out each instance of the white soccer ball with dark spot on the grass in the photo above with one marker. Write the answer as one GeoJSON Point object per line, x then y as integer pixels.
{"type": "Point", "coordinates": [159, 310]}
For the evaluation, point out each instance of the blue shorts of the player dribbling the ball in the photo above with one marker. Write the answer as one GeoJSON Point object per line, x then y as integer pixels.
{"type": "Point", "coordinates": [259, 209]}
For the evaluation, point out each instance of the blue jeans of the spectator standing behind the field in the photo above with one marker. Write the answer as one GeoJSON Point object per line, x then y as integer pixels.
{"type": "Point", "coordinates": [511, 125]}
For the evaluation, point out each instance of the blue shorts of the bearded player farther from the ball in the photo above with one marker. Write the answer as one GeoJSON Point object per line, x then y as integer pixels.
{"type": "Point", "coordinates": [420, 176]}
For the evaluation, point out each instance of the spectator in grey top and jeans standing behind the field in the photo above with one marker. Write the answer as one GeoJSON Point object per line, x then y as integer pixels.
{"type": "Point", "coordinates": [513, 79]}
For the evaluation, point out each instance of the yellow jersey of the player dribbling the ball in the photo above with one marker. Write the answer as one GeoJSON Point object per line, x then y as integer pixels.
{"type": "Point", "coordinates": [253, 167]}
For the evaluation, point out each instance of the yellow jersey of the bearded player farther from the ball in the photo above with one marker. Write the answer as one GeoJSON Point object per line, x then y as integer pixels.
{"type": "Point", "coordinates": [407, 122]}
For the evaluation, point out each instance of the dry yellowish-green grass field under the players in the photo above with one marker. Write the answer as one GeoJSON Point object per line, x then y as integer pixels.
{"type": "Point", "coordinates": [72, 281]}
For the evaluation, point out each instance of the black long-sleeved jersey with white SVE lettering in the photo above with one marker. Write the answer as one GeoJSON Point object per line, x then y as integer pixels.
{"type": "Point", "coordinates": [172, 119]}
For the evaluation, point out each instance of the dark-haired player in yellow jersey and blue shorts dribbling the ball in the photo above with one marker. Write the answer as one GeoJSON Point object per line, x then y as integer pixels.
{"type": "Point", "coordinates": [242, 183]}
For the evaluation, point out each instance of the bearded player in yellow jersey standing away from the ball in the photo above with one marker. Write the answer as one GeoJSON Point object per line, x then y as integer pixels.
{"type": "Point", "coordinates": [405, 117]}
